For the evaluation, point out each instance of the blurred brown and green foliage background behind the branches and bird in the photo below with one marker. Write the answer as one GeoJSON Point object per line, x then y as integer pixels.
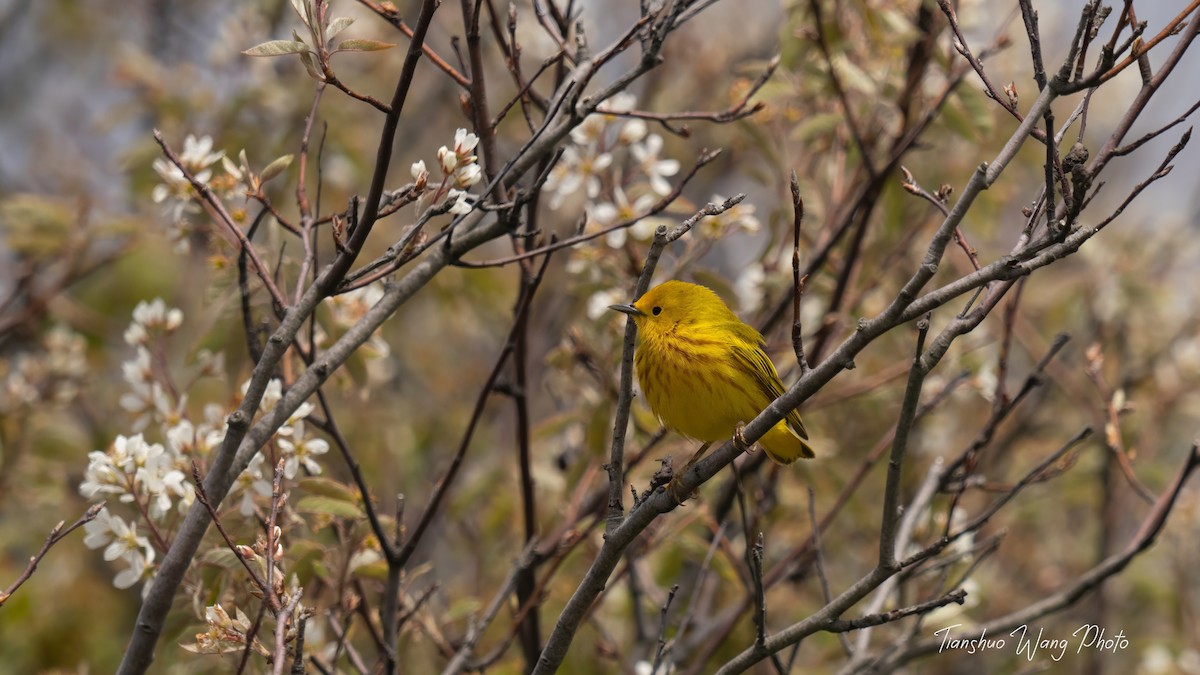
{"type": "Point", "coordinates": [86, 82]}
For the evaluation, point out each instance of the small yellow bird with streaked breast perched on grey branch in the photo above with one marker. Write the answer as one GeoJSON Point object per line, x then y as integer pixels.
{"type": "Point", "coordinates": [704, 372]}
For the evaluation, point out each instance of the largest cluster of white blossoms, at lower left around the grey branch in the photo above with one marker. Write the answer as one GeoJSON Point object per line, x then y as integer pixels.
{"type": "Point", "coordinates": [153, 480]}
